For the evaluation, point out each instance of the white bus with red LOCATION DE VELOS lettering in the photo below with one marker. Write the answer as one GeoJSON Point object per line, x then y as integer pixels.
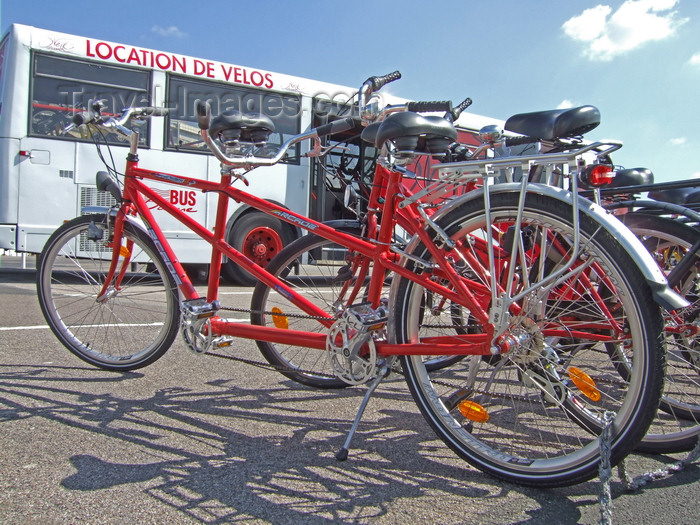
{"type": "Point", "coordinates": [47, 177]}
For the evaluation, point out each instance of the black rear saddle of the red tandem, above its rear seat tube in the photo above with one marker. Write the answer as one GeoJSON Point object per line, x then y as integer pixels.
{"type": "Point", "coordinates": [412, 133]}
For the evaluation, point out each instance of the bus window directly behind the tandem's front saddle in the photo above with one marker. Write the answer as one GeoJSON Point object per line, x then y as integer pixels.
{"type": "Point", "coordinates": [183, 93]}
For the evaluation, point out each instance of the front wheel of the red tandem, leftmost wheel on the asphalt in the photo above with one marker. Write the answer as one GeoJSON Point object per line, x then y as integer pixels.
{"type": "Point", "coordinates": [129, 327]}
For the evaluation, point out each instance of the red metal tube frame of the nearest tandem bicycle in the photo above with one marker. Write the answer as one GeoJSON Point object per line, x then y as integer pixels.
{"type": "Point", "coordinates": [379, 252]}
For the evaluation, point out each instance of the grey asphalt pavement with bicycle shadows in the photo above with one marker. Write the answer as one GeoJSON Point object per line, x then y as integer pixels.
{"type": "Point", "coordinates": [203, 439]}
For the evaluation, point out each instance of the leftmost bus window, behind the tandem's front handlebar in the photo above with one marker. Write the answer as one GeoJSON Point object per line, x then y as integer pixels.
{"type": "Point", "coordinates": [62, 87]}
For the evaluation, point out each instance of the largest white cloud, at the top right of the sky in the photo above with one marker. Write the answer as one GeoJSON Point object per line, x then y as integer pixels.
{"type": "Point", "coordinates": [607, 34]}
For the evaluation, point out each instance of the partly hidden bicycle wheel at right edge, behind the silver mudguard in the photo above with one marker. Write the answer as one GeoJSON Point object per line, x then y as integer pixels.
{"type": "Point", "coordinates": [677, 423]}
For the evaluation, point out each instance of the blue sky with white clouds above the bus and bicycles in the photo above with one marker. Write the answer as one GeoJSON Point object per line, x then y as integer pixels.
{"type": "Point", "coordinates": [638, 61]}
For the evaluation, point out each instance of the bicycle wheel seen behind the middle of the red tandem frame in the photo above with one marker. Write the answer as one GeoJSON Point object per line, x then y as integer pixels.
{"type": "Point", "coordinates": [319, 269]}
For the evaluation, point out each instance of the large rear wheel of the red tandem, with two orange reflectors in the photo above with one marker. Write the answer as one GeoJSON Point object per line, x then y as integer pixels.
{"type": "Point", "coordinates": [533, 414]}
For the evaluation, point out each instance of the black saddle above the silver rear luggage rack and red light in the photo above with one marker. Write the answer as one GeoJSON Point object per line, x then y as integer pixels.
{"type": "Point", "coordinates": [555, 123]}
